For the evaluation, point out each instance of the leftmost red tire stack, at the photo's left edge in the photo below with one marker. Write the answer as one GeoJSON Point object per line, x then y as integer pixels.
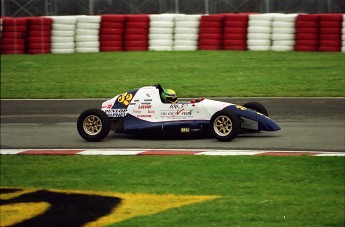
{"type": "Point", "coordinates": [13, 35]}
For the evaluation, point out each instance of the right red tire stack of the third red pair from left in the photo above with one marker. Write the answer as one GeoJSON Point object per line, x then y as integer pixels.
{"type": "Point", "coordinates": [235, 32]}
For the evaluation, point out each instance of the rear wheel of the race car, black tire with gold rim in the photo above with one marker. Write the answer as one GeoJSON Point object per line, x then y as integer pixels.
{"type": "Point", "coordinates": [93, 125]}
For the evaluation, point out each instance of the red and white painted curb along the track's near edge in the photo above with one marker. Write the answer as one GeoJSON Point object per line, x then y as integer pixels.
{"type": "Point", "coordinates": [127, 152]}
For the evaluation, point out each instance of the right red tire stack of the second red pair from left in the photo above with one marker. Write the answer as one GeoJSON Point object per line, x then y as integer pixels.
{"type": "Point", "coordinates": [137, 32]}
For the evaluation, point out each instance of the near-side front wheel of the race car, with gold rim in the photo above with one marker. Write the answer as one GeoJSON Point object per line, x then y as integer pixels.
{"type": "Point", "coordinates": [225, 125]}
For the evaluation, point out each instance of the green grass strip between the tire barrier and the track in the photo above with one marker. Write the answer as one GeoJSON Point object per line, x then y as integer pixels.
{"type": "Point", "coordinates": [191, 74]}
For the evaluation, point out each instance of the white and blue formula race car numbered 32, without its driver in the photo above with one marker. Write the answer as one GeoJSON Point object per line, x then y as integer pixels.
{"type": "Point", "coordinates": [142, 111]}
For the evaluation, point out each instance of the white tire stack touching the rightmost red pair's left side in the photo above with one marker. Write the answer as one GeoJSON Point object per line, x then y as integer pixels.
{"type": "Point", "coordinates": [283, 32]}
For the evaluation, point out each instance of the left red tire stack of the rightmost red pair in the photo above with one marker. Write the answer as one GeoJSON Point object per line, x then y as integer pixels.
{"type": "Point", "coordinates": [307, 32]}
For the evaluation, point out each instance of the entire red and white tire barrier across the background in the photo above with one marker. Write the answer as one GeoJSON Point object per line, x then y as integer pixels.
{"type": "Point", "coordinates": [173, 32]}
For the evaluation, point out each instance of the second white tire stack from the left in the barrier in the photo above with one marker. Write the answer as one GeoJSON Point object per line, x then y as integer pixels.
{"type": "Point", "coordinates": [87, 34]}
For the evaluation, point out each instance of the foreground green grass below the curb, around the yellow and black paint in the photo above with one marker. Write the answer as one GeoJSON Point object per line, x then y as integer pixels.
{"type": "Point", "coordinates": [255, 191]}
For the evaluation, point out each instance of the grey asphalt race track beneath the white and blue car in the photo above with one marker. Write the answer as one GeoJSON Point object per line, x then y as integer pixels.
{"type": "Point", "coordinates": [308, 124]}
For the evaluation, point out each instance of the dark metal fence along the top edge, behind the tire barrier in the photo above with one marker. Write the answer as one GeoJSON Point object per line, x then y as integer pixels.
{"type": "Point", "coordinates": [91, 7]}
